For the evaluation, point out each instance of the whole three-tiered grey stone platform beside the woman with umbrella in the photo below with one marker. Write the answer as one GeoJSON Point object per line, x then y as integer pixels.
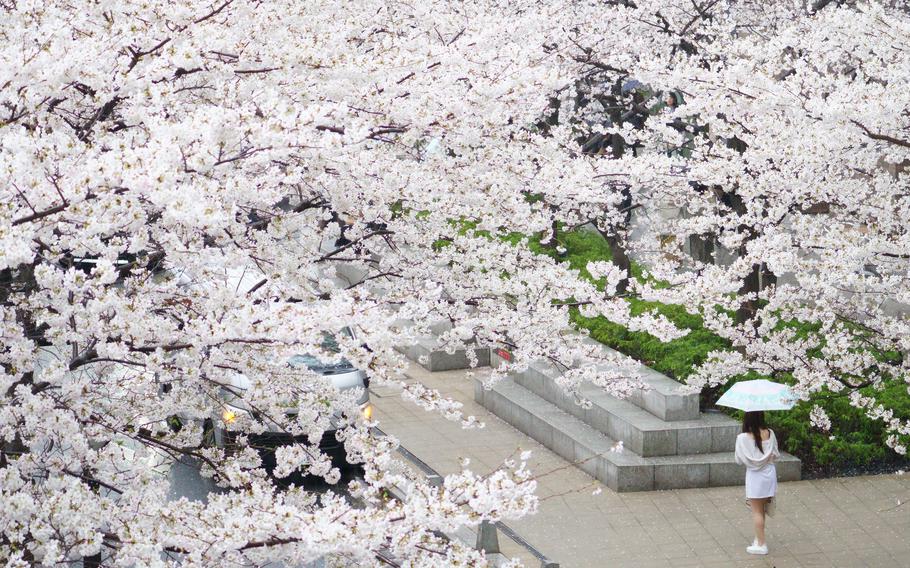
{"type": "Point", "coordinates": [668, 443]}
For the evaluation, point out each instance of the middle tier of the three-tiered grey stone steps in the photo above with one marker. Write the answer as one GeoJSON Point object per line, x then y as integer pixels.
{"type": "Point", "coordinates": [640, 431]}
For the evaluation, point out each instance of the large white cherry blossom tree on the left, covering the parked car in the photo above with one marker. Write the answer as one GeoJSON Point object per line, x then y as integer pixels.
{"type": "Point", "coordinates": [195, 190]}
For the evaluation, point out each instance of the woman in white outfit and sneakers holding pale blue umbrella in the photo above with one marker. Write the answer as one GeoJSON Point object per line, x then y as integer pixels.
{"type": "Point", "coordinates": [756, 447]}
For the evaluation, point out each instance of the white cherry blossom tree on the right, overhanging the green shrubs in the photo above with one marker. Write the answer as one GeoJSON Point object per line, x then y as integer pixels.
{"type": "Point", "coordinates": [783, 153]}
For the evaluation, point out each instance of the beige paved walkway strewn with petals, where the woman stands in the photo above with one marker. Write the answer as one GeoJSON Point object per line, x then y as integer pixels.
{"type": "Point", "coordinates": [843, 522]}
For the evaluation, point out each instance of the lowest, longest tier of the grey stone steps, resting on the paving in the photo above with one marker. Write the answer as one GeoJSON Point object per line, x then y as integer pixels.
{"type": "Point", "coordinates": [589, 449]}
